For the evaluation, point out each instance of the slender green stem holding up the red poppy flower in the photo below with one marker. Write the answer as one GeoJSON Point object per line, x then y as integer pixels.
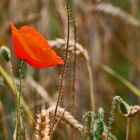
{"type": "Point", "coordinates": [19, 96]}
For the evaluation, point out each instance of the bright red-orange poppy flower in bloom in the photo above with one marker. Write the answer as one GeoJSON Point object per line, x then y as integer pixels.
{"type": "Point", "coordinates": [32, 47]}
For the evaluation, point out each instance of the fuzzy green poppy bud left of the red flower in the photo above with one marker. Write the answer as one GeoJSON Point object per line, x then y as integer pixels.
{"type": "Point", "coordinates": [5, 53]}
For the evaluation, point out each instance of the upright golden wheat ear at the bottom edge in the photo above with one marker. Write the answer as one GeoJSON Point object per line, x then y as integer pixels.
{"type": "Point", "coordinates": [43, 125]}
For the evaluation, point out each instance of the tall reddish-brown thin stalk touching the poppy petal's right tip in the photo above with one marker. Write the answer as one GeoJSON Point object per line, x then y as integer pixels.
{"type": "Point", "coordinates": [63, 71]}
